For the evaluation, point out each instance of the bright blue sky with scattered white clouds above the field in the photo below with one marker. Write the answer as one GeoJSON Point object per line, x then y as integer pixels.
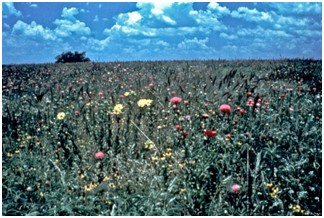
{"type": "Point", "coordinates": [111, 31]}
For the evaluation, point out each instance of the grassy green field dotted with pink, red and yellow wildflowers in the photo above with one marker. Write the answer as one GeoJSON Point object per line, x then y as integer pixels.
{"type": "Point", "coordinates": [240, 138]}
